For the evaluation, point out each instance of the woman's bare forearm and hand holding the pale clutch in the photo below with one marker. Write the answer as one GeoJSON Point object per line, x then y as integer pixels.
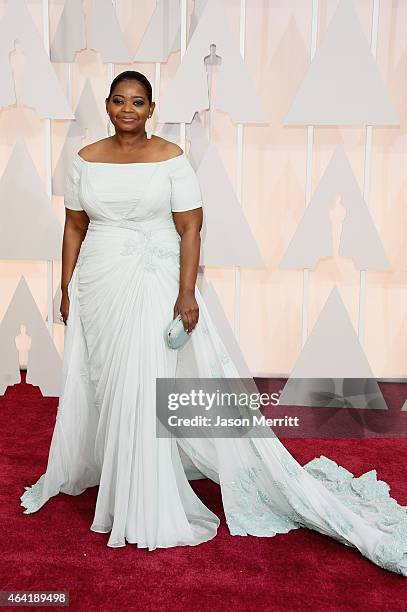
{"type": "Point", "coordinates": [188, 224]}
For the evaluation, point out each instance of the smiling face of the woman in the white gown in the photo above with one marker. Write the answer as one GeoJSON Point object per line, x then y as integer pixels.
{"type": "Point", "coordinates": [128, 107]}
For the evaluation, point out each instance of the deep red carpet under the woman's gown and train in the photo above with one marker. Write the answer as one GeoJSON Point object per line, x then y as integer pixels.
{"type": "Point", "coordinates": [54, 548]}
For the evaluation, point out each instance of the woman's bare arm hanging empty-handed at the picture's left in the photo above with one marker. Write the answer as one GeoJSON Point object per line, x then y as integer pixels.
{"type": "Point", "coordinates": [76, 225]}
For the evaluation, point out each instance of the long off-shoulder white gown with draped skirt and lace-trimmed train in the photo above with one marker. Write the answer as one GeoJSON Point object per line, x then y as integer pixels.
{"type": "Point", "coordinates": [122, 293]}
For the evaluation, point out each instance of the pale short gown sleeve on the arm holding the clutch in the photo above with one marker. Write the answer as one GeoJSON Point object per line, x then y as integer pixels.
{"type": "Point", "coordinates": [185, 189]}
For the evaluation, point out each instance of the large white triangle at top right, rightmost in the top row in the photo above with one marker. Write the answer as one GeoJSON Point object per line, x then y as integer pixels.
{"type": "Point", "coordinates": [343, 85]}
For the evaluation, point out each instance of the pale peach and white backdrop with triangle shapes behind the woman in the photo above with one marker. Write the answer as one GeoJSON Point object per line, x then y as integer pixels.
{"type": "Point", "coordinates": [265, 160]}
